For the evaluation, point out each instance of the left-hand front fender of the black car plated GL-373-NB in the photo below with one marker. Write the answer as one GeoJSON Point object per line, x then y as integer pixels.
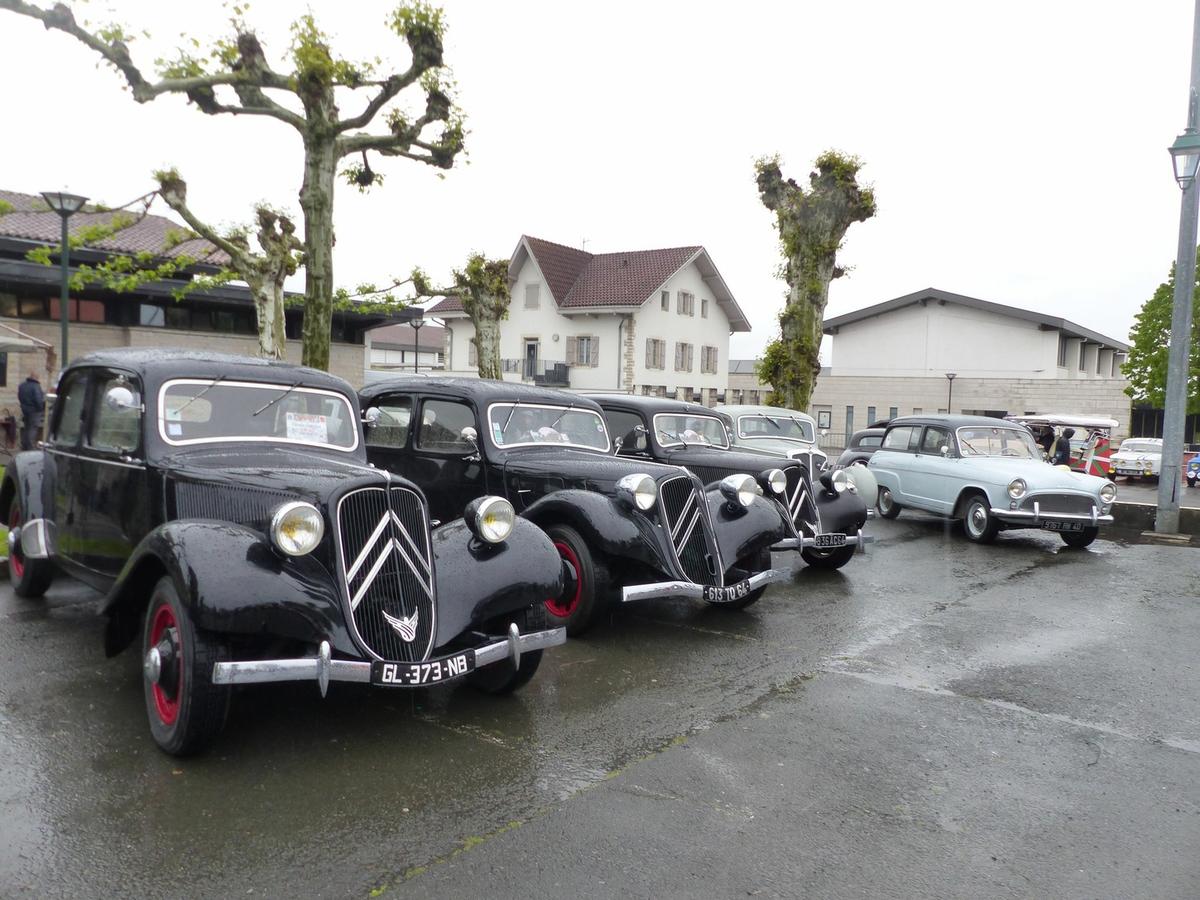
{"type": "Point", "coordinates": [231, 581]}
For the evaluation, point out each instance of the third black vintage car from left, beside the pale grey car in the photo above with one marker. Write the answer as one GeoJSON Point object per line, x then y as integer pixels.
{"type": "Point", "coordinates": [826, 524]}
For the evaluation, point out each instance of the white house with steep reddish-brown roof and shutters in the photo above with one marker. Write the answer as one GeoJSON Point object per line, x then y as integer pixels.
{"type": "Point", "coordinates": [646, 321]}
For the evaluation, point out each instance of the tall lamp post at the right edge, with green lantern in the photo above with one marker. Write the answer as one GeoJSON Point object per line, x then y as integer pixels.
{"type": "Point", "coordinates": [1186, 159]}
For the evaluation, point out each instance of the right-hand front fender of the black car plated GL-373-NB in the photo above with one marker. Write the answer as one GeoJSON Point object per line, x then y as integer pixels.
{"type": "Point", "coordinates": [478, 581]}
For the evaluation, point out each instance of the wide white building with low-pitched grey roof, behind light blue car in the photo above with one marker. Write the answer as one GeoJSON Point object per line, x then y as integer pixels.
{"type": "Point", "coordinates": [934, 351]}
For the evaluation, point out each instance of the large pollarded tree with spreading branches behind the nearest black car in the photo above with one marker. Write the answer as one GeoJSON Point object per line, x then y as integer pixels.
{"type": "Point", "coordinates": [236, 77]}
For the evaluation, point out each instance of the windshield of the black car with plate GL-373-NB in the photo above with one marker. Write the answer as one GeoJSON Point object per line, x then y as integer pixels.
{"type": "Point", "coordinates": [207, 411]}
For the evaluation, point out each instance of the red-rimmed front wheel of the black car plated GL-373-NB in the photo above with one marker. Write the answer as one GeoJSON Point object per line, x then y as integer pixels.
{"type": "Point", "coordinates": [187, 711]}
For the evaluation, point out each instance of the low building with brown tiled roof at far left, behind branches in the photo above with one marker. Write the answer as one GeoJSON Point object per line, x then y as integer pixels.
{"type": "Point", "coordinates": [220, 320]}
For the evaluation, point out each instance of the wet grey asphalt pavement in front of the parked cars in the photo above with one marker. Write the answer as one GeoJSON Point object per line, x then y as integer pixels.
{"type": "Point", "coordinates": [937, 721]}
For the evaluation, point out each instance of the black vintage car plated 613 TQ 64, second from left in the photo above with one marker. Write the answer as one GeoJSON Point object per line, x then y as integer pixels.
{"type": "Point", "coordinates": [632, 525]}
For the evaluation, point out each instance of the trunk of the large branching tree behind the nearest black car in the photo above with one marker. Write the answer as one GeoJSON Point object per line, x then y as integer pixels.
{"type": "Point", "coordinates": [317, 202]}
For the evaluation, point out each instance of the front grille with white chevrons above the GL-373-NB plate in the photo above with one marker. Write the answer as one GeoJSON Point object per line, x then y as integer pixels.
{"type": "Point", "coordinates": [385, 544]}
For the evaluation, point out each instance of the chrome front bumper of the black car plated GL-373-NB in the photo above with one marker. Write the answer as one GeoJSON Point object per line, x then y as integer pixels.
{"type": "Point", "coordinates": [325, 669]}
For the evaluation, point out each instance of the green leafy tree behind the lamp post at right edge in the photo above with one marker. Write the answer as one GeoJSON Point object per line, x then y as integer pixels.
{"type": "Point", "coordinates": [1151, 337]}
